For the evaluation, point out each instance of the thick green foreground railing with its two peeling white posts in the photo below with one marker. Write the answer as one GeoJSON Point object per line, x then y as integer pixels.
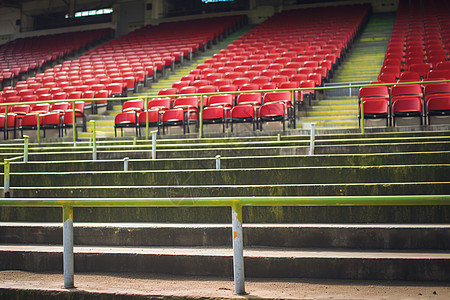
{"type": "Point", "coordinates": [236, 203]}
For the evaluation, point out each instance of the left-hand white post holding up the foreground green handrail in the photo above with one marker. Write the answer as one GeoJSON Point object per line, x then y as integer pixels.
{"type": "Point", "coordinates": [68, 262]}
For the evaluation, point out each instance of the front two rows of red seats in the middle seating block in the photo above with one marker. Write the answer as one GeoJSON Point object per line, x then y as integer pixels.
{"type": "Point", "coordinates": [253, 108]}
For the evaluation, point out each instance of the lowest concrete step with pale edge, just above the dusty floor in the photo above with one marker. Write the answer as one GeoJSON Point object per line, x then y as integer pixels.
{"type": "Point", "coordinates": [259, 262]}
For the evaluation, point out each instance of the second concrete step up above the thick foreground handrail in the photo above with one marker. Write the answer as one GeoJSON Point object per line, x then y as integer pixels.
{"type": "Point", "coordinates": [251, 176]}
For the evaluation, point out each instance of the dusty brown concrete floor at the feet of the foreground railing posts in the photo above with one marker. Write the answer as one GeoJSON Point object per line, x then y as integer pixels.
{"type": "Point", "coordinates": [26, 285]}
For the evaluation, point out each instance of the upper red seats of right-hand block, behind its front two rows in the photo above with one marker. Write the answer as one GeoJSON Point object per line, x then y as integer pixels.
{"type": "Point", "coordinates": [420, 41]}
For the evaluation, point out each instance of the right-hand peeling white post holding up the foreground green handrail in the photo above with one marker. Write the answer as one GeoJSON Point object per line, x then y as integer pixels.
{"type": "Point", "coordinates": [238, 249]}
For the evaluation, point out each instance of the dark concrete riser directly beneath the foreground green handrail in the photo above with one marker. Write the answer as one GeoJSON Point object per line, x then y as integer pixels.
{"type": "Point", "coordinates": [344, 214]}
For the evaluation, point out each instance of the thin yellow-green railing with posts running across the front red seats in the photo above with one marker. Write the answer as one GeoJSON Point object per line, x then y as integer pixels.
{"type": "Point", "coordinates": [201, 95]}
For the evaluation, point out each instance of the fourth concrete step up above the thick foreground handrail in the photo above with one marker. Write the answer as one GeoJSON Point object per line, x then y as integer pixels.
{"type": "Point", "coordinates": [212, 151]}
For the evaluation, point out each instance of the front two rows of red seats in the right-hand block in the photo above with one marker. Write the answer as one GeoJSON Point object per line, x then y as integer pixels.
{"type": "Point", "coordinates": [406, 100]}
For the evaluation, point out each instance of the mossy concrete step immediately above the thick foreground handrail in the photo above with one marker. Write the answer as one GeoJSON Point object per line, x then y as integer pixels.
{"type": "Point", "coordinates": [348, 189]}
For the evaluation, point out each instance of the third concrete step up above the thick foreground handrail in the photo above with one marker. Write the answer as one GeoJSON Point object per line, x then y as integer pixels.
{"type": "Point", "coordinates": [432, 157]}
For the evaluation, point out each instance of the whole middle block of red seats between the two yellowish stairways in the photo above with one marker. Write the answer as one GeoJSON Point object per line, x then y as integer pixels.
{"type": "Point", "coordinates": [258, 60]}
